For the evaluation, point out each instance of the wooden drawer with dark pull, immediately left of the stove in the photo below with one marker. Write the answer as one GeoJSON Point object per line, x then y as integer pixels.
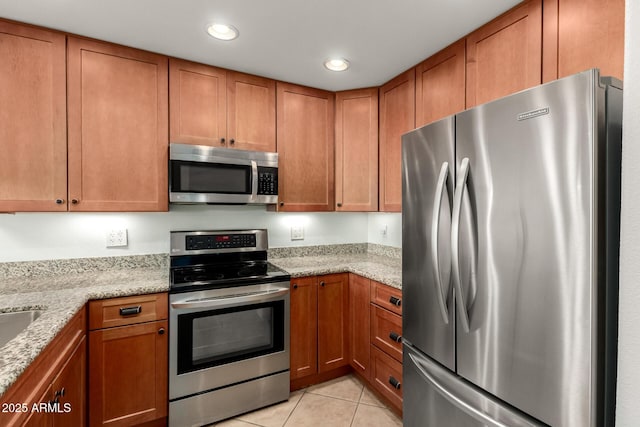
{"type": "Point", "coordinates": [113, 312]}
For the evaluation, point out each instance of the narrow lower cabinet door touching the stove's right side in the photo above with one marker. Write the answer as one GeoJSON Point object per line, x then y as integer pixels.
{"type": "Point", "coordinates": [304, 326]}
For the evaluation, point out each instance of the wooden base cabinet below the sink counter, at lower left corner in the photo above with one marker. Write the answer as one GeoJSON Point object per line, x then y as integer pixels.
{"type": "Point", "coordinates": [52, 390]}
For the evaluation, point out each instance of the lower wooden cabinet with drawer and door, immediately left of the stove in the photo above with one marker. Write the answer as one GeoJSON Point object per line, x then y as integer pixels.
{"type": "Point", "coordinates": [128, 364]}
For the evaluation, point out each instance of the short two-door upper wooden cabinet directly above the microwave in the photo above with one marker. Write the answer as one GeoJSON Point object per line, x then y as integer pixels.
{"type": "Point", "coordinates": [216, 107]}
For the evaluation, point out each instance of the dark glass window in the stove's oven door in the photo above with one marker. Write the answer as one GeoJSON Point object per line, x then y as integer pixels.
{"type": "Point", "coordinates": [216, 337]}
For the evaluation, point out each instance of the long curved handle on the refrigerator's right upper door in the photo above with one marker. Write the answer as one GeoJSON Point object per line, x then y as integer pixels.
{"type": "Point", "coordinates": [455, 237]}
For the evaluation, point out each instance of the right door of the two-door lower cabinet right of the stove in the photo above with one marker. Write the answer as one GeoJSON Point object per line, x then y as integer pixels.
{"type": "Point", "coordinates": [333, 321]}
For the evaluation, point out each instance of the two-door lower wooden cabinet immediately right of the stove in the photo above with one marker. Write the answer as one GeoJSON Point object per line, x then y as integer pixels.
{"type": "Point", "coordinates": [319, 326]}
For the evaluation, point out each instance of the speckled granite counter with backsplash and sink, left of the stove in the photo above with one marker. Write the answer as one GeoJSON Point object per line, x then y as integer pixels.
{"type": "Point", "coordinates": [61, 288]}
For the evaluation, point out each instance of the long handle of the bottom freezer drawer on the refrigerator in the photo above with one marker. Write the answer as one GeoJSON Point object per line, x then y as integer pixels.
{"type": "Point", "coordinates": [469, 401]}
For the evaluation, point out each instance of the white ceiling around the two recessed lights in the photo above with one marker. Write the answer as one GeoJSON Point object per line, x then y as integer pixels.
{"type": "Point", "coordinates": [281, 39]}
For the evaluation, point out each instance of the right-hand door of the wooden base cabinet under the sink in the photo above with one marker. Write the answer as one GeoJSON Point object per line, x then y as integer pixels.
{"type": "Point", "coordinates": [70, 389]}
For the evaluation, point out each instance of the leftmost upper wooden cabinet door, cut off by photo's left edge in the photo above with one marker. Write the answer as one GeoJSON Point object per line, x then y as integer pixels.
{"type": "Point", "coordinates": [33, 129]}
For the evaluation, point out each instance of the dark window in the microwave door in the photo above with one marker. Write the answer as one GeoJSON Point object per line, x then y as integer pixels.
{"type": "Point", "coordinates": [197, 177]}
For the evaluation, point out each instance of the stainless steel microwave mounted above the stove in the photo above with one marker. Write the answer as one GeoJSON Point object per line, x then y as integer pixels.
{"type": "Point", "coordinates": [202, 174]}
